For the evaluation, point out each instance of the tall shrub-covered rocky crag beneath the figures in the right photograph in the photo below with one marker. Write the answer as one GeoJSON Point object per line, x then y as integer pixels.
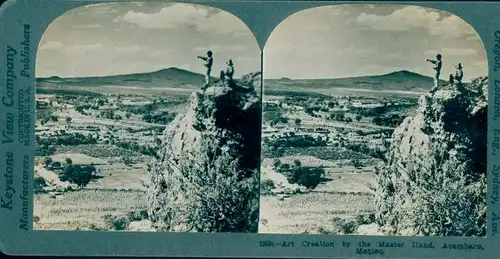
{"type": "Point", "coordinates": [435, 180]}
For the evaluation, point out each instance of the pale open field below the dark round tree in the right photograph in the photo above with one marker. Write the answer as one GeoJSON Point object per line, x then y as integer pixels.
{"type": "Point", "coordinates": [345, 195]}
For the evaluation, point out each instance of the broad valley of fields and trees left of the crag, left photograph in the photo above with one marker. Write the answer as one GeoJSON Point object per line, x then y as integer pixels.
{"type": "Point", "coordinates": [109, 132]}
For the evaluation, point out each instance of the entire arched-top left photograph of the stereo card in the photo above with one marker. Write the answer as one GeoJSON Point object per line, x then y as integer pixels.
{"type": "Point", "coordinates": [148, 118]}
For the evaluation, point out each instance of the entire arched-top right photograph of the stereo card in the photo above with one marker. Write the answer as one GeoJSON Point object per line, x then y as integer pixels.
{"type": "Point", "coordinates": [374, 123]}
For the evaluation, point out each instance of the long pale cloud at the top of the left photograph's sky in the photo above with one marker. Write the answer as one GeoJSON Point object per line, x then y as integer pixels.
{"type": "Point", "coordinates": [176, 16]}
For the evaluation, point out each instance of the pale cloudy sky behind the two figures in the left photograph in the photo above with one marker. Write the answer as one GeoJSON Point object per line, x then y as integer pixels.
{"type": "Point", "coordinates": [123, 38]}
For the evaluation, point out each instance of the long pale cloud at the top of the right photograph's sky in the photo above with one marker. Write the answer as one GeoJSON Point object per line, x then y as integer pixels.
{"type": "Point", "coordinates": [414, 17]}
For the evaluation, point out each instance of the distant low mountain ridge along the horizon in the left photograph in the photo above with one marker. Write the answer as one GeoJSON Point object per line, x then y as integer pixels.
{"type": "Point", "coordinates": [170, 77]}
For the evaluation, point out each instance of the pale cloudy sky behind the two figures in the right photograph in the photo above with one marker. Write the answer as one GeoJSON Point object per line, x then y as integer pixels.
{"type": "Point", "coordinates": [356, 40]}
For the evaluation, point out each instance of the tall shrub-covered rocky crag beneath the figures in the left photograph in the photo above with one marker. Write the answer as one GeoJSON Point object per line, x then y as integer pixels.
{"type": "Point", "coordinates": [207, 177]}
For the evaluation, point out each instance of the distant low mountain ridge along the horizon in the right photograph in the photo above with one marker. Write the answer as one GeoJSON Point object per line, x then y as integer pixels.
{"type": "Point", "coordinates": [400, 80]}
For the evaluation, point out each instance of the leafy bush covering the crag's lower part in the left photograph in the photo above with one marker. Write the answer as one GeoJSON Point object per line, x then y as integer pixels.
{"type": "Point", "coordinates": [204, 191]}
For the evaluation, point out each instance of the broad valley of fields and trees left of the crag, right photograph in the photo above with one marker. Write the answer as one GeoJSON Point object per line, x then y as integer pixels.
{"type": "Point", "coordinates": [320, 154]}
